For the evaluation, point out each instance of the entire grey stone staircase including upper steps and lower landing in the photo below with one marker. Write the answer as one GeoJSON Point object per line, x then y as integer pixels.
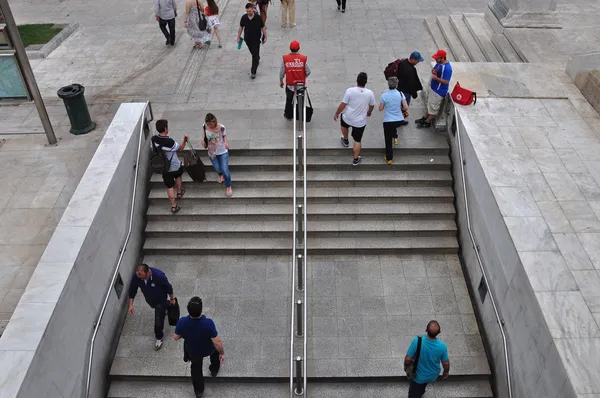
{"type": "Point", "coordinates": [382, 261]}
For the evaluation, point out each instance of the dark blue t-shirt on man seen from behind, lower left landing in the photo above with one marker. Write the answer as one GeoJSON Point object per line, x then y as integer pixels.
{"type": "Point", "coordinates": [198, 334]}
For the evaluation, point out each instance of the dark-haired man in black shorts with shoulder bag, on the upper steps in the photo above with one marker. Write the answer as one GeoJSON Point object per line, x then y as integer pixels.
{"type": "Point", "coordinates": [168, 148]}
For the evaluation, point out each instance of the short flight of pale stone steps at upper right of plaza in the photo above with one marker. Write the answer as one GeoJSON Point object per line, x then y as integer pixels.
{"type": "Point", "coordinates": [472, 37]}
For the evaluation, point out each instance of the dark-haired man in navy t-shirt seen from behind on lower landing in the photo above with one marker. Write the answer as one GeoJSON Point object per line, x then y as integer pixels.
{"type": "Point", "coordinates": [200, 340]}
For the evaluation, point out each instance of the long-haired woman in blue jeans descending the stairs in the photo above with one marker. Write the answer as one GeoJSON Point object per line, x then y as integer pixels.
{"type": "Point", "coordinates": [215, 140]}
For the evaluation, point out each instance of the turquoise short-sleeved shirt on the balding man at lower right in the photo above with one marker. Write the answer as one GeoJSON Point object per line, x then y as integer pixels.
{"type": "Point", "coordinates": [433, 352]}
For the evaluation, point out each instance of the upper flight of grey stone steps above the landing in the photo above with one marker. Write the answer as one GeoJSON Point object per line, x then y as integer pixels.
{"type": "Point", "coordinates": [374, 208]}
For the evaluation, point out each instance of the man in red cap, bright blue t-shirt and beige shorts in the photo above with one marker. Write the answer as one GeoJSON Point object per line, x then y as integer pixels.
{"type": "Point", "coordinates": [438, 88]}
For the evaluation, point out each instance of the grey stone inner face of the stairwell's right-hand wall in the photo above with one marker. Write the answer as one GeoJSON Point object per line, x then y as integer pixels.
{"type": "Point", "coordinates": [536, 367]}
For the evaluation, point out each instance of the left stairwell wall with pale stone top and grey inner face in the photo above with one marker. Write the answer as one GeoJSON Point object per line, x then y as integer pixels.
{"type": "Point", "coordinates": [63, 299]}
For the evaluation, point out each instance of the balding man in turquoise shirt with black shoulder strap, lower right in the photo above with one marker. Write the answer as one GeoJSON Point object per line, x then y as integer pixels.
{"type": "Point", "coordinates": [433, 351]}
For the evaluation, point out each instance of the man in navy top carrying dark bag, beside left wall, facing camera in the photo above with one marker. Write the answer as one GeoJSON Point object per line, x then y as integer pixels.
{"type": "Point", "coordinates": [155, 286]}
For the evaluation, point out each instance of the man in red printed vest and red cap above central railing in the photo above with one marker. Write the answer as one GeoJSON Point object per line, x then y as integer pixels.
{"type": "Point", "coordinates": [294, 66]}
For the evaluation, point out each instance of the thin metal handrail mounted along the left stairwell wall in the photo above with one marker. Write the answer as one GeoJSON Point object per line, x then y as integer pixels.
{"type": "Point", "coordinates": [88, 375]}
